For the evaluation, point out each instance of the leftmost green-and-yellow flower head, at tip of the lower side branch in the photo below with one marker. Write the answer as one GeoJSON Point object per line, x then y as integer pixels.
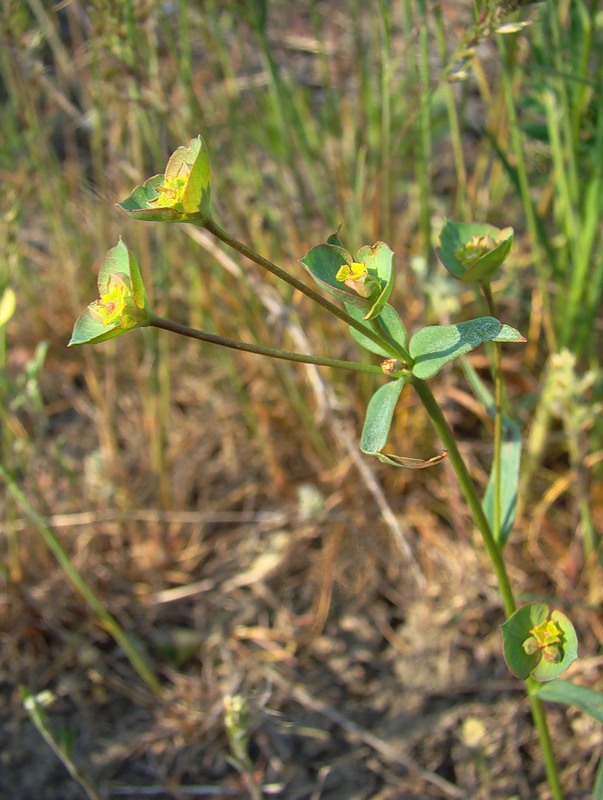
{"type": "Point", "coordinates": [123, 303]}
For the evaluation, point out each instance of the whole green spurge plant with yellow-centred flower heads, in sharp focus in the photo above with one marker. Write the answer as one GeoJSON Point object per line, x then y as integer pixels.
{"type": "Point", "coordinates": [539, 644]}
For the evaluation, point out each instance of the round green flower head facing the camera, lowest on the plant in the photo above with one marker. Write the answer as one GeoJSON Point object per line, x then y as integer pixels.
{"type": "Point", "coordinates": [539, 643]}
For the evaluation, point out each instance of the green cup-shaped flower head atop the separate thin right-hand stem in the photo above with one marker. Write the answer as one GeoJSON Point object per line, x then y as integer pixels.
{"type": "Point", "coordinates": [473, 251]}
